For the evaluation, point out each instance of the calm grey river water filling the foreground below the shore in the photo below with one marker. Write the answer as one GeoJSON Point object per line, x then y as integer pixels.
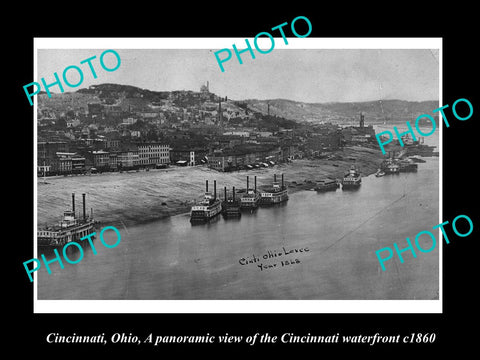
{"type": "Point", "coordinates": [329, 240]}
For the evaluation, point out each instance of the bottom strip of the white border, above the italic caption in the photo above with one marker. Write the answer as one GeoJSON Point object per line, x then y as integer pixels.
{"type": "Point", "coordinates": [237, 306]}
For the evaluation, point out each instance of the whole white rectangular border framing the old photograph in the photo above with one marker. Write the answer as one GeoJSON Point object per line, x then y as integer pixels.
{"type": "Point", "coordinates": [239, 306]}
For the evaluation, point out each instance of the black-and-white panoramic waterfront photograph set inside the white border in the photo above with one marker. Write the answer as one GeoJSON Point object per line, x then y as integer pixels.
{"type": "Point", "coordinates": [262, 182]}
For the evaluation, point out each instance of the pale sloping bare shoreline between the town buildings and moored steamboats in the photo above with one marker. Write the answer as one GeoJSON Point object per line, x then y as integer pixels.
{"type": "Point", "coordinates": [133, 198]}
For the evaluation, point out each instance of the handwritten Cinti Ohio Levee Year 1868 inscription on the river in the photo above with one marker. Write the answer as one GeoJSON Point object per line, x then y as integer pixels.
{"type": "Point", "coordinates": [272, 259]}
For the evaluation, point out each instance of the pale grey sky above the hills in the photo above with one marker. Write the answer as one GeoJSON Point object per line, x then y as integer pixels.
{"type": "Point", "coordinates": [306, 75]}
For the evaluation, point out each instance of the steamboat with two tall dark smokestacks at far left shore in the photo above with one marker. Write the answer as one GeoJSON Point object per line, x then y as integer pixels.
{"type": "Point", "coordinates": [70, 228]}
